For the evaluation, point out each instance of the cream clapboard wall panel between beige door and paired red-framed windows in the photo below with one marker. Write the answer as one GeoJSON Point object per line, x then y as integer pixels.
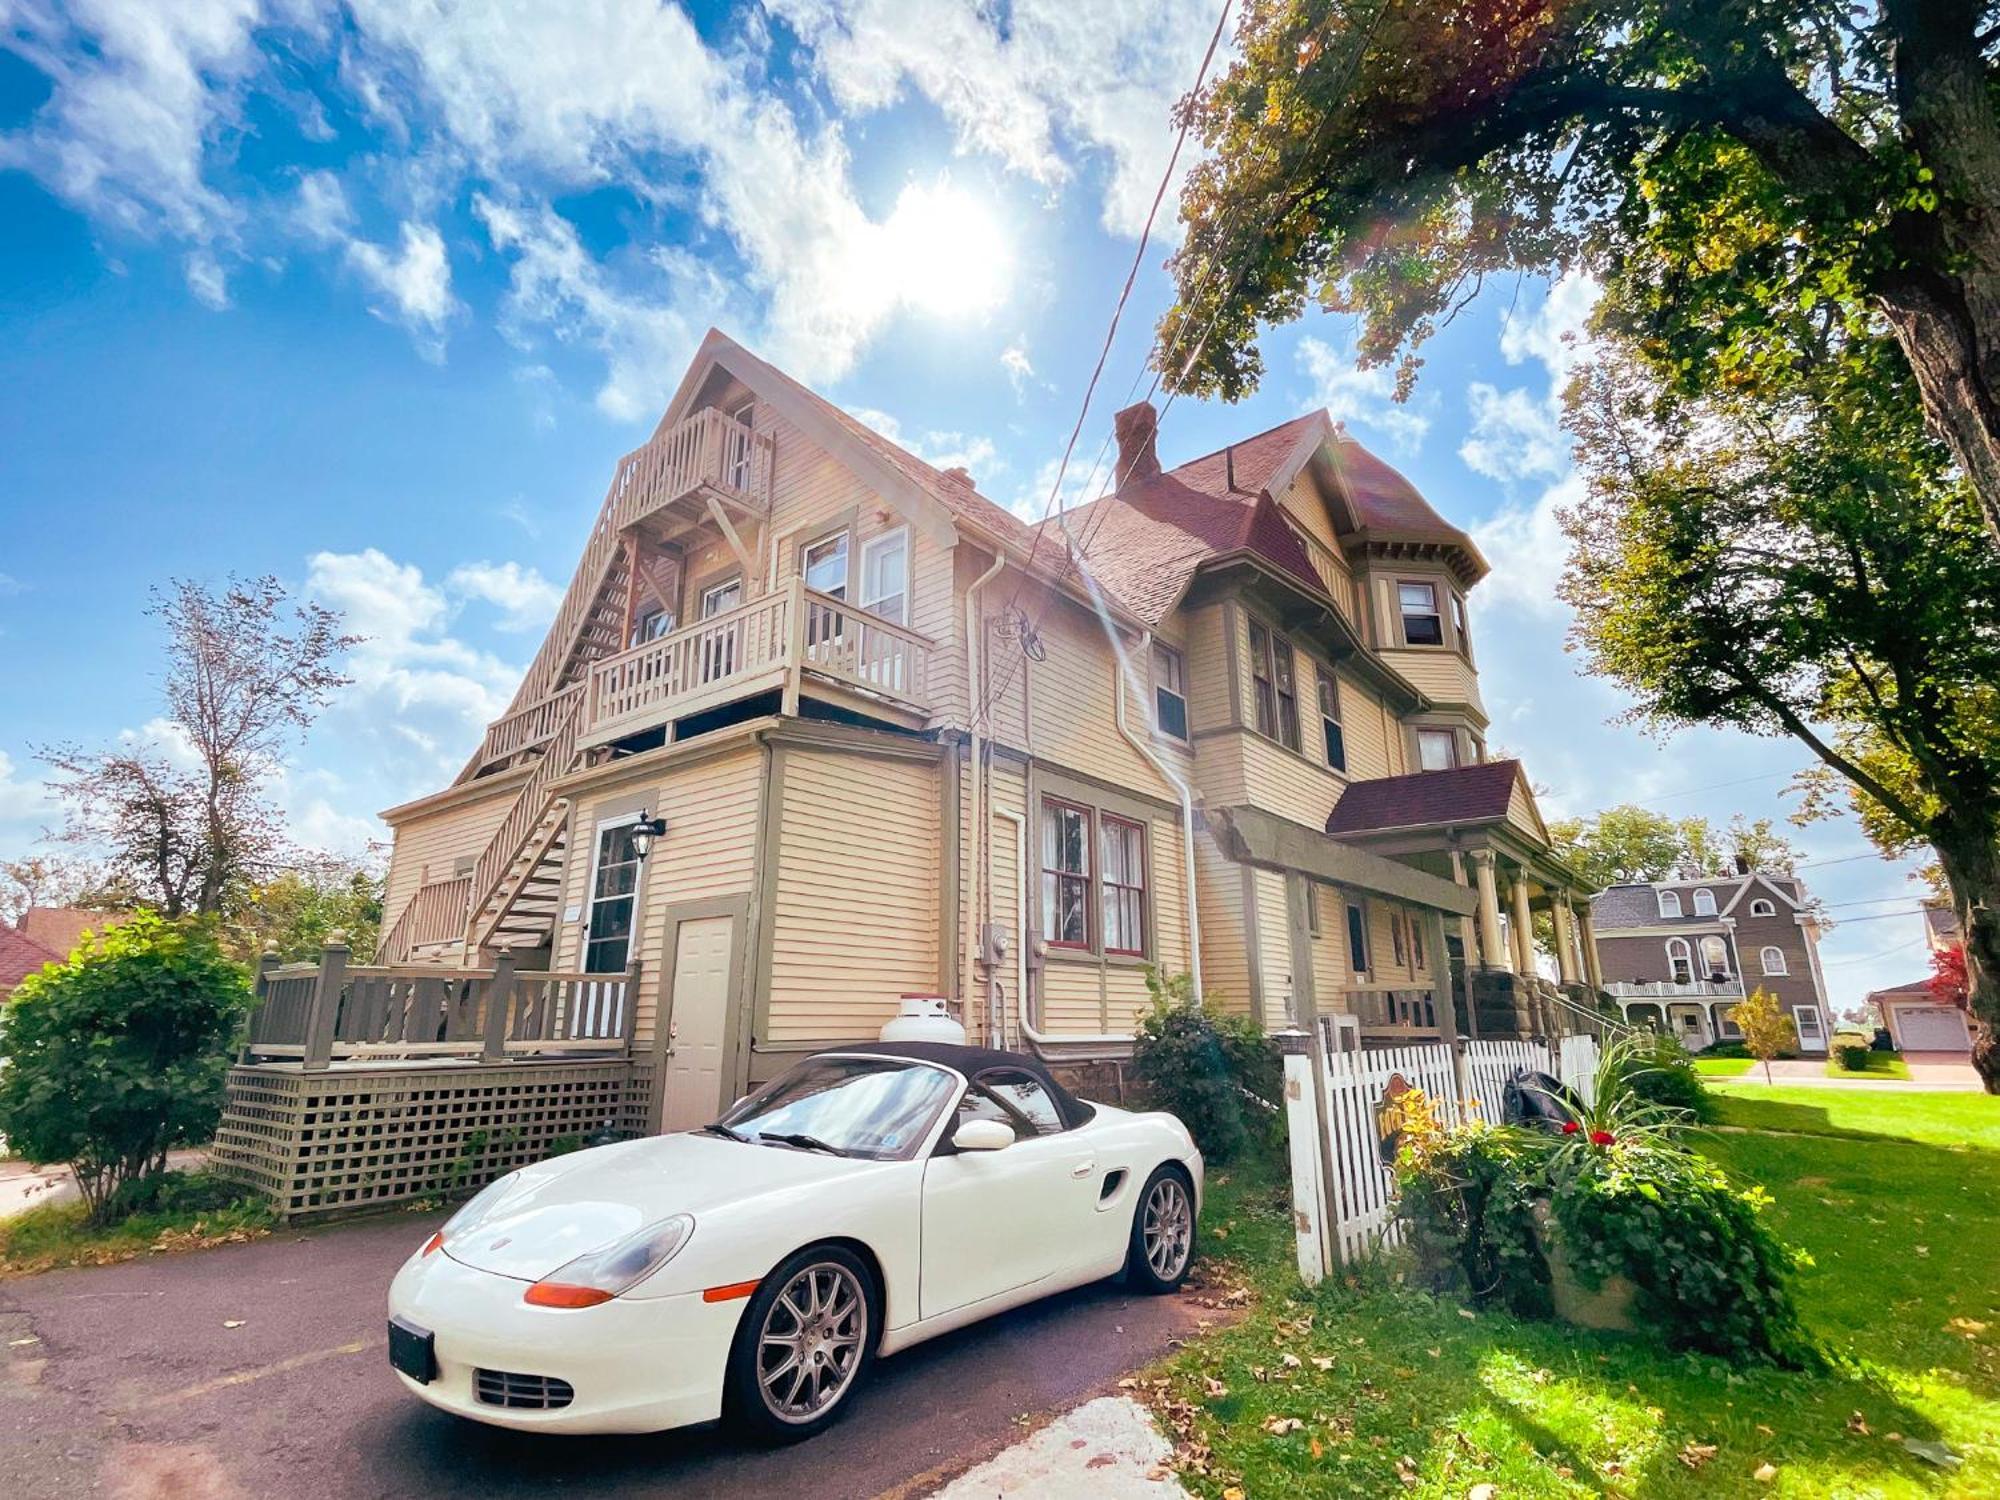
{"type": "Point", "coordinates": [855, 919]}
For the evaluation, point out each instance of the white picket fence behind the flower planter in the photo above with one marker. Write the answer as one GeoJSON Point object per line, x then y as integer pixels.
{"type": "Point", "coordinates": [1343, 1191]}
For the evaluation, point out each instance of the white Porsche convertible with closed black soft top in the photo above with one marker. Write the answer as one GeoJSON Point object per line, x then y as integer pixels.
{"type": "Point", "coordinates": [865, 1201]}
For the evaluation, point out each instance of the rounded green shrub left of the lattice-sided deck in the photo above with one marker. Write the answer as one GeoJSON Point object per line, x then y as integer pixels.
{"type": "Point", "coordinates": [121, 1053]}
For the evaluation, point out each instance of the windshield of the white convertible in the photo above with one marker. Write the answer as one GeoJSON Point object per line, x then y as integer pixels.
{"type": "Point", "coordinates": [879, 1109]}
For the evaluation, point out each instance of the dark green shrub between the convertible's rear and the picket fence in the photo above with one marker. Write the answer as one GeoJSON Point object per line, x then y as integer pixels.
{"type": "Point", "coordinates": [1215, 1071]}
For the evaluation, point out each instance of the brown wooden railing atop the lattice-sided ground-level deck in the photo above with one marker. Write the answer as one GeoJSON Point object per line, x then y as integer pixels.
{"type": "Point", "coordinates": [329, 1013]}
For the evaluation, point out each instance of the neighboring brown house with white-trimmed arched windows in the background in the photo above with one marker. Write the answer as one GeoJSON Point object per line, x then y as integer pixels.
{"type": "Point", "coordinates": [1679, 955]}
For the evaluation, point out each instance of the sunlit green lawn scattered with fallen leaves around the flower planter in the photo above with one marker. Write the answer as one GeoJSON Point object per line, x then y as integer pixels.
{"type": "Point", "coordinates": [1399, 1393]}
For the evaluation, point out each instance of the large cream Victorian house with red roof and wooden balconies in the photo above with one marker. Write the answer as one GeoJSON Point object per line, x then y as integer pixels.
{"type": "Point", "coordinates": [821, 727]}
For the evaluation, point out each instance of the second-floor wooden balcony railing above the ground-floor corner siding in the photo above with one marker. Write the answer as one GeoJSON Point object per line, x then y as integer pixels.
{"type": "Point", "coordinates": [753, 649]}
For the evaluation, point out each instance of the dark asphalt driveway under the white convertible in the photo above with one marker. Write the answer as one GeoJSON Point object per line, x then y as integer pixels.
{"type": "Point", "coordinates": [133, 1383]}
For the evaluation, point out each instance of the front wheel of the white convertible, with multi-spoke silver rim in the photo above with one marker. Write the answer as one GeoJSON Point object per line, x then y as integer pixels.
{"type": "Point", "coordinates": [805, 1345]}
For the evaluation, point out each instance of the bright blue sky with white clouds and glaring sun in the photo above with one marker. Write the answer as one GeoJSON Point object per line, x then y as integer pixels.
{"type": "Point", "coordinates": [373, 297]}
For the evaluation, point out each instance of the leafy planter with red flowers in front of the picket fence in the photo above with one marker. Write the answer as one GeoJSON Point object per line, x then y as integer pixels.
{"type": "Point", "coordinates": [1611, 1221]}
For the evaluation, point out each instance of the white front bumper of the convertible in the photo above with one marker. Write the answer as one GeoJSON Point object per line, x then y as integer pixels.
{"type": "Point", "coordinates": [637, 1365]}
